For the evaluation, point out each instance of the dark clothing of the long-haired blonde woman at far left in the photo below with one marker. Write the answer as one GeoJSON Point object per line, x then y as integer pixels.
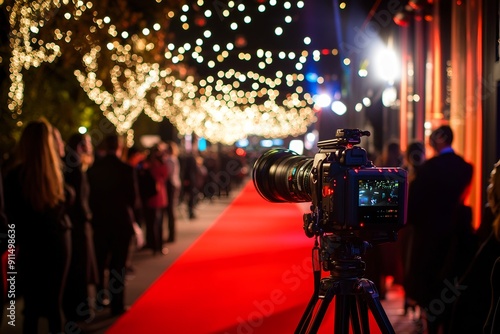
{"type": "Point", "coordinates": [42, 249]}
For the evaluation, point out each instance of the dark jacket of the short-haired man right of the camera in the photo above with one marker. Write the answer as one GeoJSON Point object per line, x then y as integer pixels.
{"type": "Point", "coordinates": [439, 222]}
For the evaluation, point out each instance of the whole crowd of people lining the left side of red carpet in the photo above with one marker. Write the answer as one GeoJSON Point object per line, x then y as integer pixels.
{"type": "Point", "coordinates": [79, 213]}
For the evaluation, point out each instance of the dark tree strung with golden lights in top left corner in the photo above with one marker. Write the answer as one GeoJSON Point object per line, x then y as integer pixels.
{"type": "Point", "coordinates": [44, 44]}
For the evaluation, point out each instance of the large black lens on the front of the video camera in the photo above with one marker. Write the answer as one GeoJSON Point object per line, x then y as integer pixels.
{"type": "Point", "coordinates": [282, 175]}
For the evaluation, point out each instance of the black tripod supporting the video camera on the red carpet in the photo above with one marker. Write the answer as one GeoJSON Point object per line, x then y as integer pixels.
{"type": "Point", "coordinates": [354, 295]}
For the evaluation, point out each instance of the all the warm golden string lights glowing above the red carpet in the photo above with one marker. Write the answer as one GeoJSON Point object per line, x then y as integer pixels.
{"type": "Point", "coordinates": [221, 107]}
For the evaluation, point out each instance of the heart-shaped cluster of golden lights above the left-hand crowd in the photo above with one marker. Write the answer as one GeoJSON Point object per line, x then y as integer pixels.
{"type": "Point", "coordinates": [133, 82]}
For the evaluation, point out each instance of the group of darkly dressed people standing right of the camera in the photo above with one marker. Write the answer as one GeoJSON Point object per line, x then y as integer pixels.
{"type": "Point", "coordinates": [446, 266]}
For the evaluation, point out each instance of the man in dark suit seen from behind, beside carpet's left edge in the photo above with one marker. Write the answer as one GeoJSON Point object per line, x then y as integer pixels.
{"type": "Point", "coordinates": [113, 197]}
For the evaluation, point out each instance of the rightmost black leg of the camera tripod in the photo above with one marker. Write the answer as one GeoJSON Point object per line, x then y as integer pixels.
{"type": "Point", "coordinates": [370, 295]}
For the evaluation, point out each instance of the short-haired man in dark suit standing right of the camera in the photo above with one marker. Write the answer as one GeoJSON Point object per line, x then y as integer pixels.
{"type": "Point", "coordinates": [440, 222]}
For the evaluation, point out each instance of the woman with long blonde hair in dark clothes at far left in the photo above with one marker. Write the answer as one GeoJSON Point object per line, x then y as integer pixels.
{"type": "Point", "coordinates": [35, 201]}
